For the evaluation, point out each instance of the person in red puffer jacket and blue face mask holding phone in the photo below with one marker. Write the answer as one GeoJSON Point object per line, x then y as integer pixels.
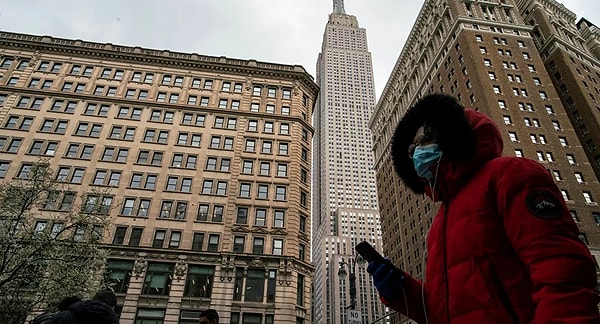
{"type": "Point", "coordinates": [503, 247]}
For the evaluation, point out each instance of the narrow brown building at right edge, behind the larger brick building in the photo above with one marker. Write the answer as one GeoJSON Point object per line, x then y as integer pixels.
{"type": "Point", "coordinates": [568, 56]}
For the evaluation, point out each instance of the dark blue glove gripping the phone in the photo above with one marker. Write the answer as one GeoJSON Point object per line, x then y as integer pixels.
{"type": "Point", "coordinates": [386, 278]}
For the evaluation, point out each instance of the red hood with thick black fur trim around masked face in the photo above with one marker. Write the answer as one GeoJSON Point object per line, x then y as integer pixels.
{"type": "Point", "coordinates": [466, 137]}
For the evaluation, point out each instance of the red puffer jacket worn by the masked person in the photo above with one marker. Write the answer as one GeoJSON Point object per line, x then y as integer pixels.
{"type": "Point", "coordinates": [503, 247]}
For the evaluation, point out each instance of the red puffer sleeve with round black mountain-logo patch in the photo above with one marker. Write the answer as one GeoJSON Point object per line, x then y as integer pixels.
{"type": "Point", "coordinates": [545, 237]}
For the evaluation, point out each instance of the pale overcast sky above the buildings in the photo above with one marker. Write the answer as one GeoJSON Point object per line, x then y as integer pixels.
{"type": "Point", "coordinates": [278, 31]}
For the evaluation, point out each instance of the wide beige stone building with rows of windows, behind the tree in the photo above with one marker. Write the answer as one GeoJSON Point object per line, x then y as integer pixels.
{"type": "Point", "coordinates": [205, 162]}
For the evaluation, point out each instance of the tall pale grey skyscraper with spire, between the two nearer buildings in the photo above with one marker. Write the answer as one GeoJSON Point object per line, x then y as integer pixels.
{"type": "Point", "coordinates": [344, 202]}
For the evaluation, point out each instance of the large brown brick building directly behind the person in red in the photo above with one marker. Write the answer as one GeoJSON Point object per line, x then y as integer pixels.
{"type": "Point", "coordinates": [487, 55]}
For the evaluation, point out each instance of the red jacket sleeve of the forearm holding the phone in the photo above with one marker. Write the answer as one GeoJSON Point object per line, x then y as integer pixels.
{"type": "Point", "coordinates": [412, 299]}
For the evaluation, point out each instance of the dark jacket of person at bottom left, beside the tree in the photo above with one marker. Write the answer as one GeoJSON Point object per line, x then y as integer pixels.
{"type": "Point", "coordinates": [87, 312]}
